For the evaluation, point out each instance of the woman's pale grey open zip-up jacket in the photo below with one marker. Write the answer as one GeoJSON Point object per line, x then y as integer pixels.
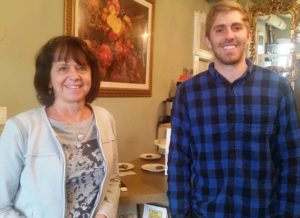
{"type": "Point", "coordinates": [32, 167]}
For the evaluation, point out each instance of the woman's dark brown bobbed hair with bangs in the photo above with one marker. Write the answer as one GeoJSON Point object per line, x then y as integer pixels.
{"type": "Point", "coordinates": [63, 48]}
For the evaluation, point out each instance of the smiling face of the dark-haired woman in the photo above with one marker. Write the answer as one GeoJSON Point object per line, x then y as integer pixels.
{"type": "Point", "coordinates": [71, 82]}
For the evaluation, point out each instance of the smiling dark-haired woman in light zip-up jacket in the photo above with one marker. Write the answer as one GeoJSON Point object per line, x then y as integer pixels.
{"type": "Point", "coordinates": [60, 160]}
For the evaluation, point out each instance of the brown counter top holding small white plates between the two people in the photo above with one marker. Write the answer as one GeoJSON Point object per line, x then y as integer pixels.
{"type": "Point", "coordinates": [144, 187]}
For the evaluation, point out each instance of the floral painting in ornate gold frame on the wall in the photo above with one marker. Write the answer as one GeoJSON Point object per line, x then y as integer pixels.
{"type": "Point", "coordinates": [119, 32]}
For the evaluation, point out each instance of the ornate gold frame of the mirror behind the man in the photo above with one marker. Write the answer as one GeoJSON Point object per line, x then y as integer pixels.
{"type": "Point", "coordinates": [275, 7]}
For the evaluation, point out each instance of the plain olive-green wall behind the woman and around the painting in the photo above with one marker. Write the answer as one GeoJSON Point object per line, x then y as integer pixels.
{"type": "Point", "coordinates": [26, 25]}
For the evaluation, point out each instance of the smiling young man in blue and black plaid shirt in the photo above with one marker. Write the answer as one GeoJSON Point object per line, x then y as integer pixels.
{"type": "Point", "coordinates": [235, 143]}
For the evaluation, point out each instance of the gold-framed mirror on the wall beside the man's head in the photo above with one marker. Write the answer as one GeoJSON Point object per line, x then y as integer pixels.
{"type": "Point", "coordinates": [274, 35]}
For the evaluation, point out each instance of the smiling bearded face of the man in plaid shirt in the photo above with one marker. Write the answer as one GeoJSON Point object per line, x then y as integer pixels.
{"type": "Point", "coordinates": [229, 38]}
